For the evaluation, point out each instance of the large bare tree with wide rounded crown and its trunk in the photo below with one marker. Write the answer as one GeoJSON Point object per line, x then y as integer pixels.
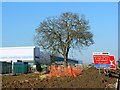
{"type": "Point", "coordinates": [59, 34]}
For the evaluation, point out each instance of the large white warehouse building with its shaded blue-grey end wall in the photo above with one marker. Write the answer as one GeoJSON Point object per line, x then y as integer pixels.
{"type": "Point", "coordinates": [28, 54]}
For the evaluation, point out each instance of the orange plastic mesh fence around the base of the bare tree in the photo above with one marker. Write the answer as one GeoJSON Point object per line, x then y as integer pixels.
{"type": "Point", "coordinates": [68, 71]}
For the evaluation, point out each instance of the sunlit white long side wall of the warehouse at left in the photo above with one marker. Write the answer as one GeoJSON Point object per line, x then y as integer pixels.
{"type": "Point", "coordinates": [17, 53]}
